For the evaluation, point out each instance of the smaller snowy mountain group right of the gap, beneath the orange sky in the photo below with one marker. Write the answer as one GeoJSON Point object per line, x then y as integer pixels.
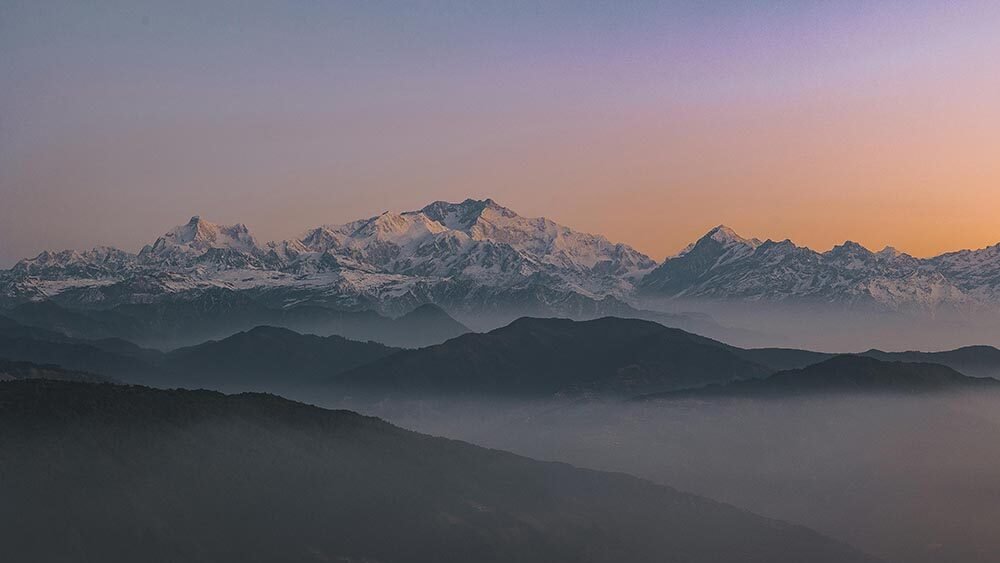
{"type": "Point", "coordinates": [723, 265]}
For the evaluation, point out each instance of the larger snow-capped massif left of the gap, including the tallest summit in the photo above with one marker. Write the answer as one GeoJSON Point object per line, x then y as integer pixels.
{"type": "Point", "coordinates": [464, 255]}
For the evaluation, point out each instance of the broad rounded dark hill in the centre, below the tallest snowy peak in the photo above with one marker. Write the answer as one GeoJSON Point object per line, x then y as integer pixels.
{"type": "Point", "coordinates": [546, 357]}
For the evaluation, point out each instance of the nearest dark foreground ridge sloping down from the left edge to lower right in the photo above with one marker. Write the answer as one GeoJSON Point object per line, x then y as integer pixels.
{"type": "Point", "coordinates": [123, 473]}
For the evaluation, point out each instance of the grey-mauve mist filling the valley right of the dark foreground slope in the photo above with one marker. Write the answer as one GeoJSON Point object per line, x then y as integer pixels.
{"type": "Point", "coordinates": [907, 478]}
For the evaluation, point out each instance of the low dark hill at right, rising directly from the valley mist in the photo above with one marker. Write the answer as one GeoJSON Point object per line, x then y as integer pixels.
{"type": "Point", "coordinates": [844, 374]}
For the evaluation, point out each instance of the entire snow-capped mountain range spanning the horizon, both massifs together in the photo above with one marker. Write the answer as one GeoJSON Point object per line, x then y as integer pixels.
{"type": "Point", "coordinates": [479, 257]}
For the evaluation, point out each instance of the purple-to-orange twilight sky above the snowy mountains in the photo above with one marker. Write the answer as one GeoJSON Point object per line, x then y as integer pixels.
{"type": "Point", "coordinates": [648, 122]}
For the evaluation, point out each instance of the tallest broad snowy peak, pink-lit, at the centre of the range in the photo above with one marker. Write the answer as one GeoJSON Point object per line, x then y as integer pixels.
{"type": "Point", "coordinates": [475, 239]}
